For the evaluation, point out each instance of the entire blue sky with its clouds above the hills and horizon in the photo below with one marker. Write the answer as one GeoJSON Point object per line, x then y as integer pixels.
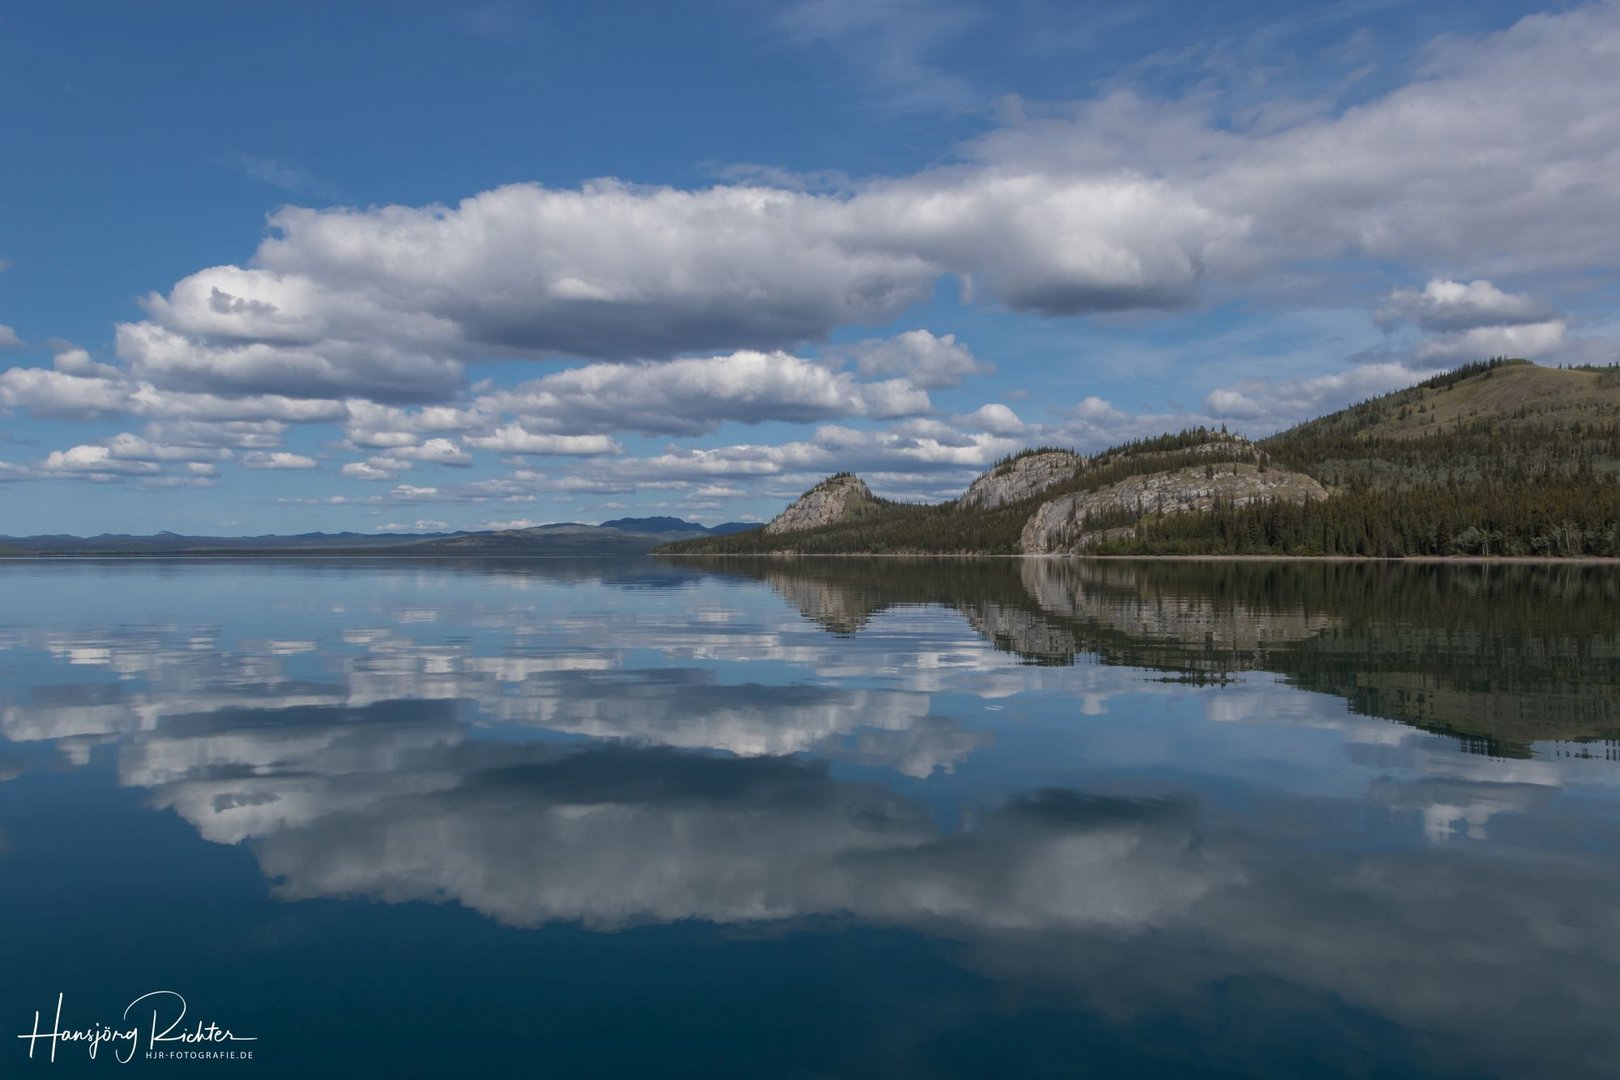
{"type": "Point", "coordinates": [305, 266]}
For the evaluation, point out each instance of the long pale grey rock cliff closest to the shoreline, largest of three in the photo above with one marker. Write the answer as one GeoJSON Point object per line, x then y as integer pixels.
{"type": "Point", "coordinates": [1060, 525]}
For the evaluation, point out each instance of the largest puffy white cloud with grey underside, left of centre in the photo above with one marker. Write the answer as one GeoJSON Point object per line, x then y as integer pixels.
{"type": "Point", "coordinates": [390, 302]}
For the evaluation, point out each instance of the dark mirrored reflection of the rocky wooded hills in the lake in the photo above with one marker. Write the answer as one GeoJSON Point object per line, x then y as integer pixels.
{"type": "Point", "coordinates": [1498, 655]}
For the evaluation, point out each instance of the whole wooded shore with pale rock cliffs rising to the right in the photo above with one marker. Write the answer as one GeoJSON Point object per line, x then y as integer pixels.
{"type": "Point", "coordinates": [1494, 459]}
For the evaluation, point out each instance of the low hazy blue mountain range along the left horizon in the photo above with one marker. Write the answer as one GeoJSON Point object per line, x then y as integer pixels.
{"type": "Point", "coordinates": [621, 537]}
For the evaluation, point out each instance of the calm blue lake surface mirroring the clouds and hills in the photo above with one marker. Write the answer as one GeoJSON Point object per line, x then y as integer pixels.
{"type": "Point", "coordinates": [817, 819]}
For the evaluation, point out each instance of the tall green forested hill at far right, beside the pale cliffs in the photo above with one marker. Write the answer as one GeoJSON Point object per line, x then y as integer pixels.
{"type": "Point", "coordinates": [1493, 459]}
